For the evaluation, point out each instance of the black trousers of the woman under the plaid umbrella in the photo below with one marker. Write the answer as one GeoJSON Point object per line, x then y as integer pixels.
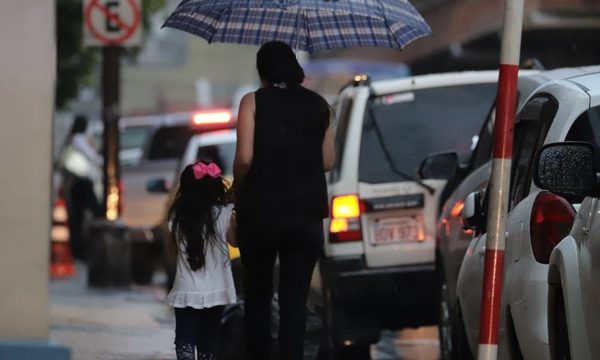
{"type": "Point", "coordinates": [298, 242]}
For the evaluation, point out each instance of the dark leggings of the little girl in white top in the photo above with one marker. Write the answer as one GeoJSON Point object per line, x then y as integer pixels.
{"type": "Point", "coordinates": [199, 329]}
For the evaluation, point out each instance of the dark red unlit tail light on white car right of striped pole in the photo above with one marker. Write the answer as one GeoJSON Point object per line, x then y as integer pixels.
{"type": "Point", "coordinates": [551, 220]}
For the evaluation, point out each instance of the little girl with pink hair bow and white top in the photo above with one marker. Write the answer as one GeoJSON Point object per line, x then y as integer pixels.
{"type": "Point", "coordinates": [199, 218]}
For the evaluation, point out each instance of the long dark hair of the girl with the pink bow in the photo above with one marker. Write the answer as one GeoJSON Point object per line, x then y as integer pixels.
{"type": "Point", "coordinates": [193, 214]}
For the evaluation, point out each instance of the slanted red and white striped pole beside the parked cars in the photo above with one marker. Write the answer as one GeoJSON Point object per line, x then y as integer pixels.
{"type": "Point", "coordinates": [500, 180]}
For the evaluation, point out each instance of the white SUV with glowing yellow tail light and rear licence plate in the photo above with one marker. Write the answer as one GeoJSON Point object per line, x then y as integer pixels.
{"type": "Point", "coordinates": [378, 269]}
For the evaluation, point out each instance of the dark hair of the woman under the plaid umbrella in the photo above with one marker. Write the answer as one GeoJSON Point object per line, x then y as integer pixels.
{"type": "Point", "coordinates": [277, 63]}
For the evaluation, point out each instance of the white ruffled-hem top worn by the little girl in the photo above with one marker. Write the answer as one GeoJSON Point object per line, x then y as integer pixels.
{"type": "Point", "coordinates": [212, 285]}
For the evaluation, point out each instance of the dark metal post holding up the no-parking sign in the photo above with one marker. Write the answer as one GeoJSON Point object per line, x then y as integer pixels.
{"type": "Point", "coordinates": [111, 113]}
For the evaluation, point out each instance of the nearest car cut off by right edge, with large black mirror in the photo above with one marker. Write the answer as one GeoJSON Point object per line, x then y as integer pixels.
{"type": "Point", "coordinates": [574, 273]}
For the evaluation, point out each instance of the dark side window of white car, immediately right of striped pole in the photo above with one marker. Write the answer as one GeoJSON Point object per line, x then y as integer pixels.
{"type": "Point", "coordinates": [531, 128]}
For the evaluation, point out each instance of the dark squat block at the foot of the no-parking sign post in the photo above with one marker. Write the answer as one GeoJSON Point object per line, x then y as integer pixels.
{"type": "Point", "coordinates": [108, 254]}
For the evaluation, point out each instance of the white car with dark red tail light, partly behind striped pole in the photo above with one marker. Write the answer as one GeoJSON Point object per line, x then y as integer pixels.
{"type": "Point", "coordinates": [536, 222]}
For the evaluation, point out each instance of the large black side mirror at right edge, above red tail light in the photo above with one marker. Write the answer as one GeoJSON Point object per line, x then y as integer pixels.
{"type": "Point", "coordinates": [567, 168]}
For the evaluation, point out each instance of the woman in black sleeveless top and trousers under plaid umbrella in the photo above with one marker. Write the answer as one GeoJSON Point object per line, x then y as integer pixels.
{"type": "Point", "coordinates": [284, 146]}
